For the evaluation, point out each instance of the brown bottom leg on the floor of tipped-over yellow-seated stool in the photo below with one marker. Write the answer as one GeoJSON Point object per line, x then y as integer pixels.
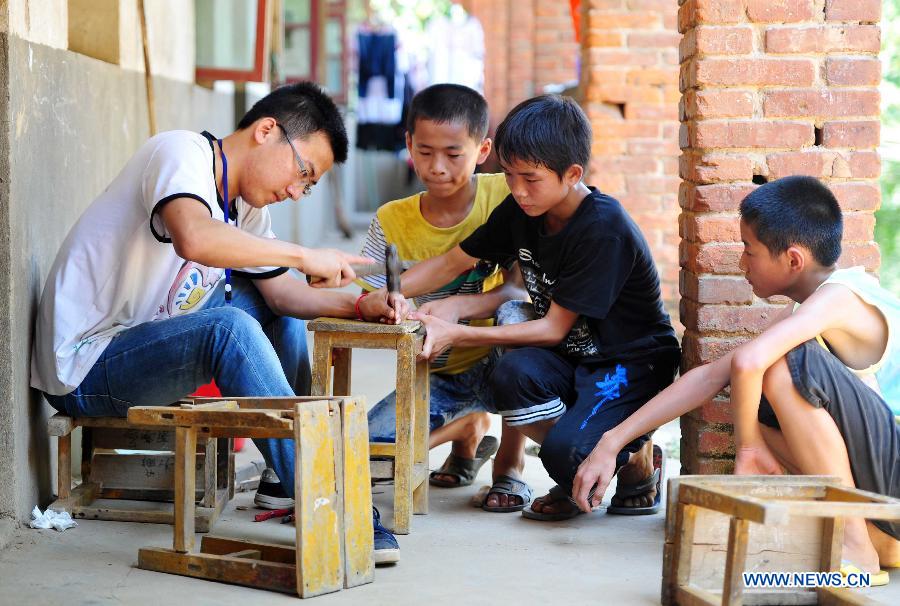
{"type": "Point", "coordinates": [273, 576]}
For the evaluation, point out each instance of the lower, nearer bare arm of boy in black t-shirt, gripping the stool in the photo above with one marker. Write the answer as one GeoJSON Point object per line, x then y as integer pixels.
{"type": "Point", "coordinates": [544, 332]}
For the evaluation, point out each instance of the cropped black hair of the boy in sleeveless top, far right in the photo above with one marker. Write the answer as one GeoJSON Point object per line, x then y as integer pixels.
{"type": "Point", "coordinates": [796, 210]}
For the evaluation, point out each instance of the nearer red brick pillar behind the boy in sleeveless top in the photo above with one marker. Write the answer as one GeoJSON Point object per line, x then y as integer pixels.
{"type": "Point", "coordinates": [770, 88]}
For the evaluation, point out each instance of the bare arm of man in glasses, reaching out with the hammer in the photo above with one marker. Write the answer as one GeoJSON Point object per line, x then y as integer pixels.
{"type": "Point", "coordinates": [198, 237]}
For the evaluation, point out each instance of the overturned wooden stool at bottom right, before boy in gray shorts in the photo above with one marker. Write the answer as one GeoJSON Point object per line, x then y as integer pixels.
{"type": "Point", "coordinates": [798, 527]}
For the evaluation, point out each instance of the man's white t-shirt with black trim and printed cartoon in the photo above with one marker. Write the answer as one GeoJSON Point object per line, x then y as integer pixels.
{"type": "Point", "coordinates": [117, 267]}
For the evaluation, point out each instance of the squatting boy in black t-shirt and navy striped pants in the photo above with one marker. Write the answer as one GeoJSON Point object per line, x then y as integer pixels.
{"type": "Point", "coordinates": [602, 344]}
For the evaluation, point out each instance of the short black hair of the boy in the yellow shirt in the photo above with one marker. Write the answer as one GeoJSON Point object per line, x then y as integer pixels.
{"type": "Point", "coordinates": [448, 103]}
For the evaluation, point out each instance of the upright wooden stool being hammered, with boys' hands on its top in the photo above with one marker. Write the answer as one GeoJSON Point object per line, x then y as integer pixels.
{"type": "Point", "coordinates": [334, 340]}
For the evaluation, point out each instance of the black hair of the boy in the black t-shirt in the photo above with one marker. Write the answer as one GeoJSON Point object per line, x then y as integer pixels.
{"type": "Point", "coordinates": [550, 131]}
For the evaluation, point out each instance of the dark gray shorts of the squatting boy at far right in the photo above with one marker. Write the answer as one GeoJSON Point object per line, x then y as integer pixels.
{"type": "Point", "coordinates": [864, 419]}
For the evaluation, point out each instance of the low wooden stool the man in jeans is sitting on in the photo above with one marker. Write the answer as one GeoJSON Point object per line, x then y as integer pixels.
{"type": "Point", "coordinates": [146, 476]}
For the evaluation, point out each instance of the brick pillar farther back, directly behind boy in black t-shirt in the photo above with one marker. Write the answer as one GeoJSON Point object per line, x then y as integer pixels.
{"type": "Point", "coordinates": [629, 80]}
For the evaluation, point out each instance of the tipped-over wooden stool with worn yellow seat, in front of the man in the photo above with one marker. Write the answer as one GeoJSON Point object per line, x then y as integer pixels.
{"type": "Point", "coordinates": [333, 499]}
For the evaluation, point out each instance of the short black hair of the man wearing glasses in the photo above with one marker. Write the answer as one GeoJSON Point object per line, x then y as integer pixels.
{"type": "Point", "coordinates": [302, 109]}
